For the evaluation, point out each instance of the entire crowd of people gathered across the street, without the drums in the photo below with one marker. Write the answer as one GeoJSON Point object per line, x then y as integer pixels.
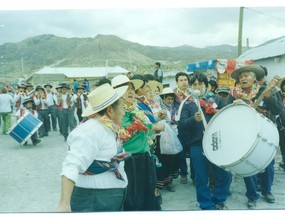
{"type": "Point", "coordinates": [117, 157]}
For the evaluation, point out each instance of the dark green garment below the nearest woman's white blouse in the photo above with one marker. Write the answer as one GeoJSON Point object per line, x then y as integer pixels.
{"type": "Point", "coordinates": [92, 200]}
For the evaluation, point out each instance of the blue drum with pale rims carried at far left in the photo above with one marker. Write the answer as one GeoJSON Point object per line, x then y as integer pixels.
{"type": "Point", "coordinates": [24, 128]}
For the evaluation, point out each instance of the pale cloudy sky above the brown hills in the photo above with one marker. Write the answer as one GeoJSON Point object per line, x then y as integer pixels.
{"type": "Point", "coordinates": [157, 24]}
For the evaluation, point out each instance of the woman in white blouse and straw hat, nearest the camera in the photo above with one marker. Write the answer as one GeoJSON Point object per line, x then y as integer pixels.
{"type": "Point", "coordinates": [93, 178]}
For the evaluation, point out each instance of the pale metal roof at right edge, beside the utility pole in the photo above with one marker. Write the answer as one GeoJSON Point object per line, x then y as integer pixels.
{"type": "Point", "coordinates": [272, 49]}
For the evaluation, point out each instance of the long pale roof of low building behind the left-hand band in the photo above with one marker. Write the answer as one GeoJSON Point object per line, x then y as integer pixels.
{"type": "Point", "coordinates": [83, 72]}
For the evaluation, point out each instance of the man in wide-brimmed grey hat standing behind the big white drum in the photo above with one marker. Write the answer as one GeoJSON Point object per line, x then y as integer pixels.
{"type": "Point", "coordinates": [247, 90]}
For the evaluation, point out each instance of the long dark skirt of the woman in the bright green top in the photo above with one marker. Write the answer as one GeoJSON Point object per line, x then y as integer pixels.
{"type": "Point", "coordinates": [140, 170]}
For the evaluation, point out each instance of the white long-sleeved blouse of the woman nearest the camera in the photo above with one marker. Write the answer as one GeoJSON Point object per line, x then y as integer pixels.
{"type": "Point", "coordinates": [88, 142]}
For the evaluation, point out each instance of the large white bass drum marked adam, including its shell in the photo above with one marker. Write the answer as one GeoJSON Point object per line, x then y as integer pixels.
{"type": "Point", "coordinates": [240, 140]}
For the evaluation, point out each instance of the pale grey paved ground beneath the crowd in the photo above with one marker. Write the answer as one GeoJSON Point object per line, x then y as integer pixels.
{"type": "Point", "coordinates": [30, 180]}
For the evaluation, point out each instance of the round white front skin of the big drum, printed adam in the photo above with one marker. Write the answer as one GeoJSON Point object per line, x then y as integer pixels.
{"type": "Point", "coordinates": [230, 134]}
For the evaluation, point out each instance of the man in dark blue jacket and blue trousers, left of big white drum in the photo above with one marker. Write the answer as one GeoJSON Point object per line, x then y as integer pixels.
{"type": "Point", "coordinates": [191, 123]}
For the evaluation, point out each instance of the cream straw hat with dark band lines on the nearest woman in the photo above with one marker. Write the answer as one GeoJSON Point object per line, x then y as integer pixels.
{"type": "Point", "coordinates": [102, 97]}
